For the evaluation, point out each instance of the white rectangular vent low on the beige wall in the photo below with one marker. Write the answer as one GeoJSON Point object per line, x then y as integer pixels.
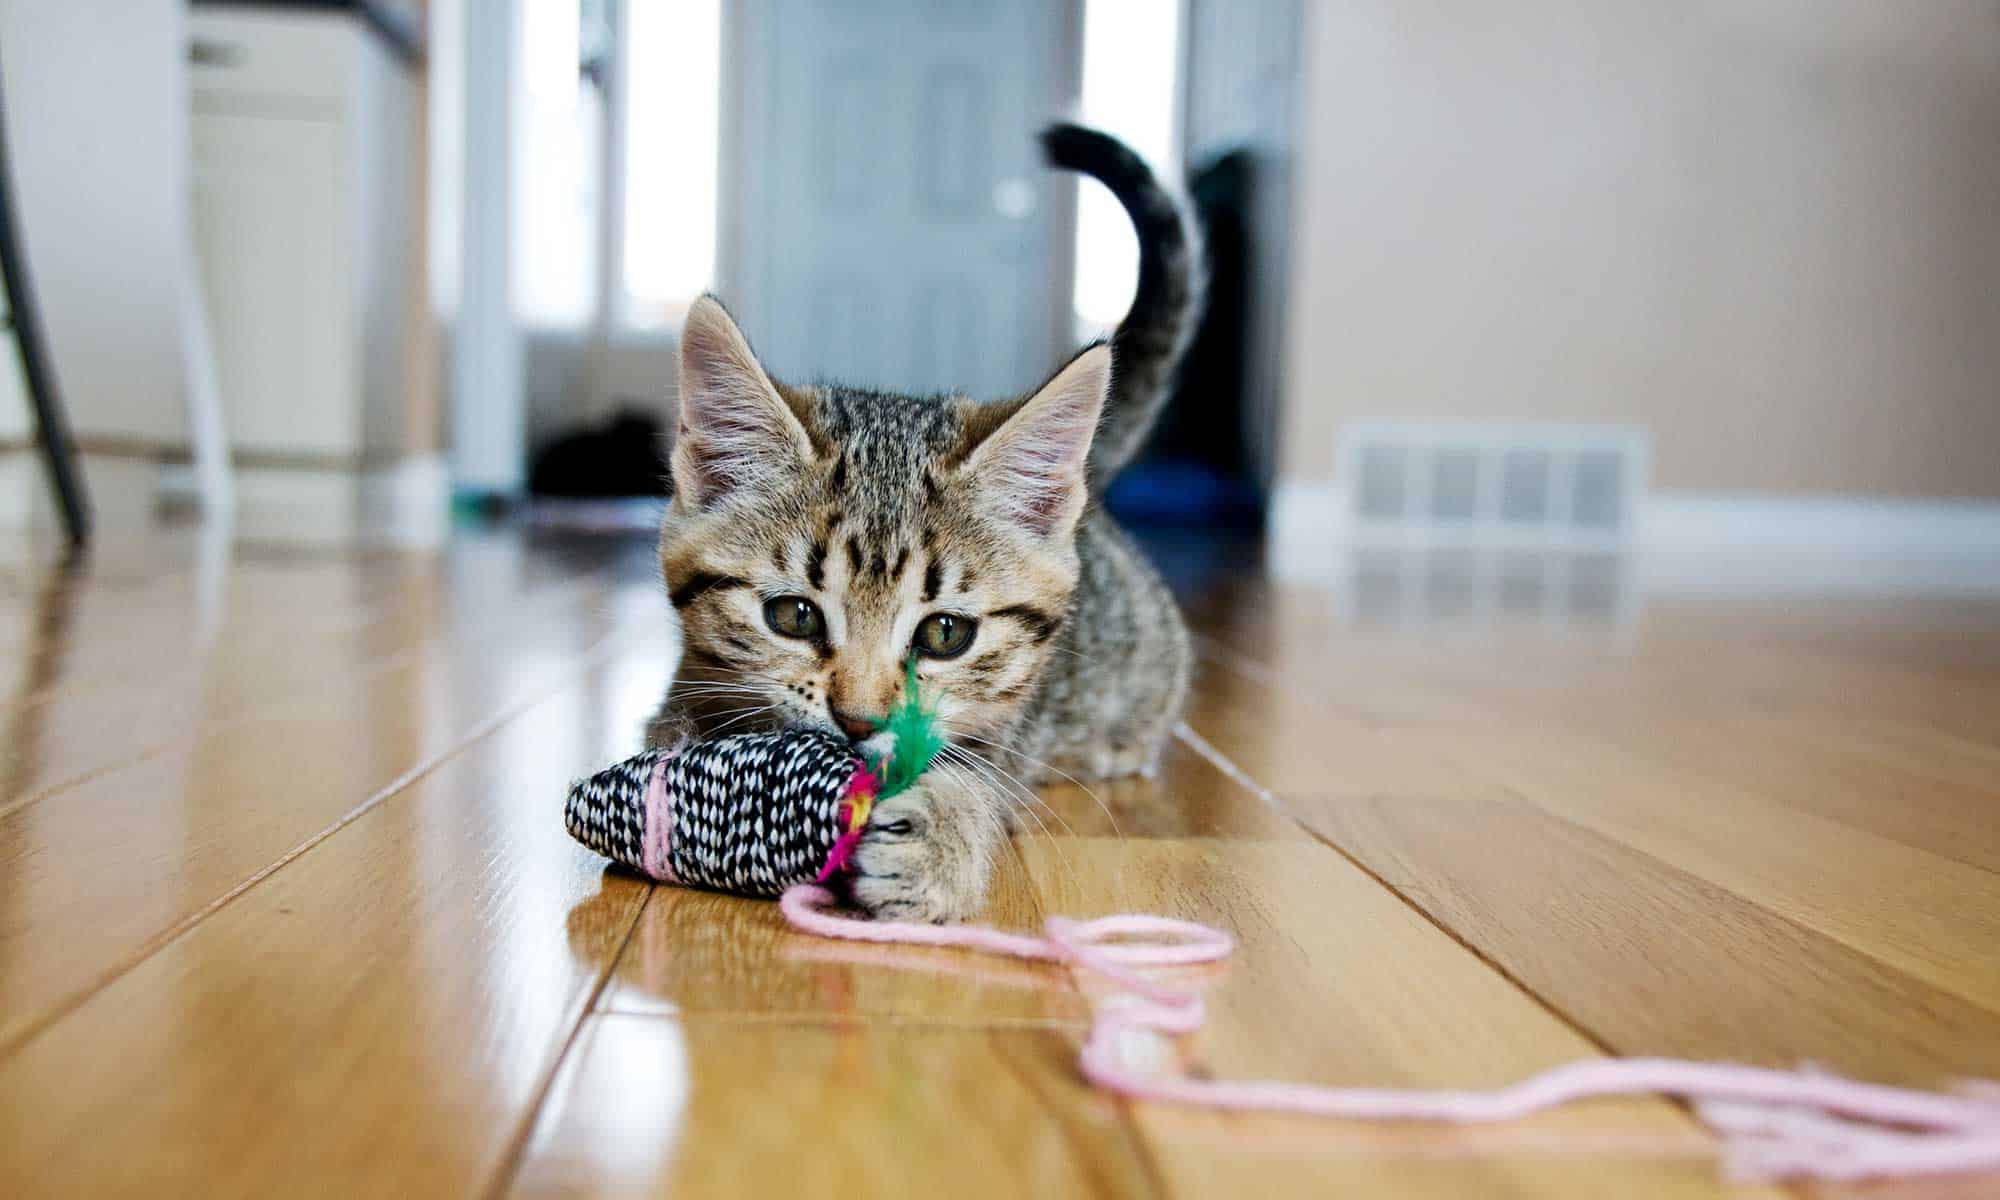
{"type": "Point", "coordinates": [1541, 485]}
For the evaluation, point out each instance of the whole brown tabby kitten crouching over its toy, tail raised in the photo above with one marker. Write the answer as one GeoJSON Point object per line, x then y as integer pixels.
{"type": "Point", "coordinates": [821, 537]}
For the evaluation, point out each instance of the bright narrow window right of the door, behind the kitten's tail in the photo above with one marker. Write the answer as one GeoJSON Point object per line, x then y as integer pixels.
{"type": "Point", "coordinates": [1131, 75]}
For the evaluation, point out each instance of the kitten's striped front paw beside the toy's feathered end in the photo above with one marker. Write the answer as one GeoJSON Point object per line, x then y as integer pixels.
{"type": "Point", "coordinates": [921, 861]}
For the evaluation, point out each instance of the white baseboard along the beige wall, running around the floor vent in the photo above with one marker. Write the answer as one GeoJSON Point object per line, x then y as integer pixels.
{"type": "Point", "coordinates": [1707, 541]}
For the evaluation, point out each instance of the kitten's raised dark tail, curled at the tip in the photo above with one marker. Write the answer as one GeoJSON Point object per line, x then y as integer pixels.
{"type": "Point", "coordinates": [1169, 301]}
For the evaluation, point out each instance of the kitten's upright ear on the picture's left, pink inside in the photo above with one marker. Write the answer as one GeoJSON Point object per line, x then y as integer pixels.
{"type": "Point", "coordinates": [735, 429]}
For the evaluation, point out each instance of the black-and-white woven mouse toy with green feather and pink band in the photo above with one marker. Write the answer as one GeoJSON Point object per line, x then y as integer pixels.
{"type": "Point", "coordinates": [749, 813]}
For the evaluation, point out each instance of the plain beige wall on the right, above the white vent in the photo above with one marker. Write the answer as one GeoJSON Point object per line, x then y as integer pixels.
{"type": "Point", "coordinates": [1769, 231]}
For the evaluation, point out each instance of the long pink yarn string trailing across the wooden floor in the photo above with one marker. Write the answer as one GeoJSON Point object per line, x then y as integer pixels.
{"type": "Point", "coordinates": [1775, 1125]}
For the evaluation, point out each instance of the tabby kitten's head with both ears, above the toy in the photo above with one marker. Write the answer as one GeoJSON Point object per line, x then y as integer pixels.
{"type": "Point", "coordinates": [821, 539]}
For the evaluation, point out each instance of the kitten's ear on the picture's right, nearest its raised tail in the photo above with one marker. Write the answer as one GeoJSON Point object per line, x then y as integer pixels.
{"type": "Point", "coordinates": [1033, 467]}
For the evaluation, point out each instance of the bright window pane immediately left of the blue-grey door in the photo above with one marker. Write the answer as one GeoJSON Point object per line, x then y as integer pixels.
{"type": "Point", "coordinates": [673, 111]}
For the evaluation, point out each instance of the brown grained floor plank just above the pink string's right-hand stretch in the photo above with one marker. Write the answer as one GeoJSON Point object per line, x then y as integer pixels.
{"type": "Point", "coordinates": [1651, 959]}
